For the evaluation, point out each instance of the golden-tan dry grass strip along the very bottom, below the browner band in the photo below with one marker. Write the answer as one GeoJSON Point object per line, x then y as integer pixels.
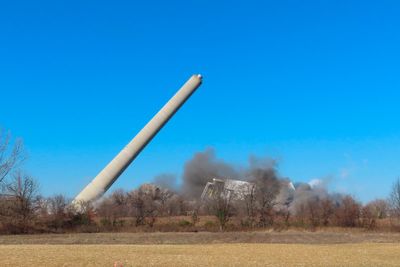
{"type": "Point", "coordinates": [362, 254]}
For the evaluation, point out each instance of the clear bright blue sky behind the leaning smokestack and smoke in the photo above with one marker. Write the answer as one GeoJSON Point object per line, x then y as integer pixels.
{"type": "Point", "coordinates": [314, 84]}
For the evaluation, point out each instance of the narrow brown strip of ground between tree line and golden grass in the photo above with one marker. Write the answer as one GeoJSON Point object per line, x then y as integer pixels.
{"type": "Point", "coordinates": [287, 237]}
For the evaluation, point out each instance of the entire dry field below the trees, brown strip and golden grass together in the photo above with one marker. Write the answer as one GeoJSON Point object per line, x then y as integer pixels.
{"type": "Point", "coordinates": [290, 248]}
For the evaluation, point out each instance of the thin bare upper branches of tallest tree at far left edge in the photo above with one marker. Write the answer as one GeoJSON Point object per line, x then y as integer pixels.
{"type": "Point", "coordinates": [11, 155]}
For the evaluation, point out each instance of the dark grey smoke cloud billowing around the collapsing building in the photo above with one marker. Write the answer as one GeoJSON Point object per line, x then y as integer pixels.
{"type": "Point", "coordinates": [204, 166]}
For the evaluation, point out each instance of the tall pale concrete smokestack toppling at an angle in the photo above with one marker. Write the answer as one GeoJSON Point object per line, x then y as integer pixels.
{"type": "Point", "coordinates": [103, 181]}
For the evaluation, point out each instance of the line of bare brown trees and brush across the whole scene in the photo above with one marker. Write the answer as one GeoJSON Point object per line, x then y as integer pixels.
{"type": "Point", "coordinates": [154, 208]}
